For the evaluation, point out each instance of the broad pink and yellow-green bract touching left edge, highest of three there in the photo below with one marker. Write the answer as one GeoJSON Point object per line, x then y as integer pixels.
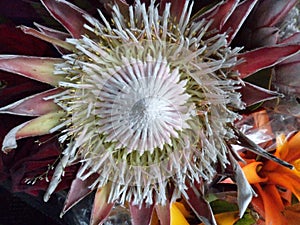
{"type": "Point", "coordinates": [36, 68]}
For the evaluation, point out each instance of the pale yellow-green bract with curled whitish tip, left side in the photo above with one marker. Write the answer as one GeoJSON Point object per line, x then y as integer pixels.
{"type": "Point", "coordinates": [36, 127]}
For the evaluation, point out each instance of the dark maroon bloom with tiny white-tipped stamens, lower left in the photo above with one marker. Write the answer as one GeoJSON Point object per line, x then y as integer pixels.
{"type": "Point", "coordinates": [32, 166]}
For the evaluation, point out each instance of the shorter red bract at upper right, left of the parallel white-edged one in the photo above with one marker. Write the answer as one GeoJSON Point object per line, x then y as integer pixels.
{"type": "Point", "coordinates": [220, 14]}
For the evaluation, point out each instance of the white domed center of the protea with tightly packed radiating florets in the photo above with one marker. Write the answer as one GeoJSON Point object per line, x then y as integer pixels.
{"type": "Point", "coordinates": [142, 106]}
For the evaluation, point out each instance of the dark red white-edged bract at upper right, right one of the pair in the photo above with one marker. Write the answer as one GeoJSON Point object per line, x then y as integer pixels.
{"type": "Point", "coordinates": [237, 18]}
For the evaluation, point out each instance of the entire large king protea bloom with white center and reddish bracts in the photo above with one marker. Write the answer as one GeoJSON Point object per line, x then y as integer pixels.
{"type": "Point", "coordinates": [145, 99]}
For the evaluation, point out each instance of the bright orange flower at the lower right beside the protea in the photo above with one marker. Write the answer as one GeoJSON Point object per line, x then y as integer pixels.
{"type": "Point", "coordinates": [267, 176]}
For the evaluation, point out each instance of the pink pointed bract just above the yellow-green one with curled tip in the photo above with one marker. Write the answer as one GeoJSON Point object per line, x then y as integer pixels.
{"type": "Point", "coordinates": [34, 105]}
